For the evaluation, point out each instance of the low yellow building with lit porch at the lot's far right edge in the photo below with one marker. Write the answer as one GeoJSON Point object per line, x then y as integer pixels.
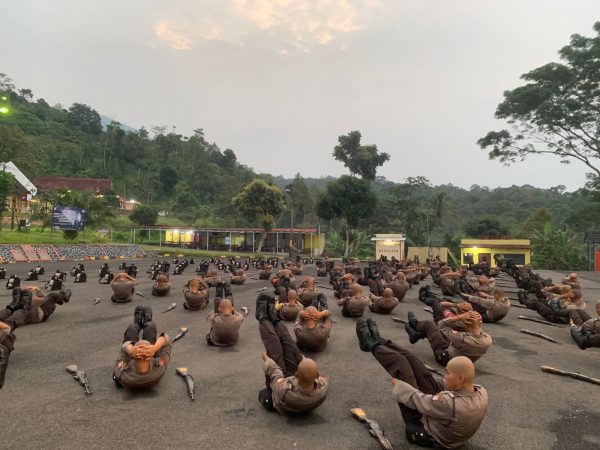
{"type": "Point", "coordinates": [473, 251]}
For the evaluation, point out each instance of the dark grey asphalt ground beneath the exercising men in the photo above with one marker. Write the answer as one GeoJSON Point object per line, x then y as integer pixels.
{"type": "Point", "coordinates": [43, 407]}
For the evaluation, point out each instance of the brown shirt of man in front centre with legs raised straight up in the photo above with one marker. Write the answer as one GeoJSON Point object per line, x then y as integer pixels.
{"type": "Point", "coordinates": [291, 398]}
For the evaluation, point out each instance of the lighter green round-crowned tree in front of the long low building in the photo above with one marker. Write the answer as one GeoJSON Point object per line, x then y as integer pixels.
{"type": "Point", "coordinates": [260, 202]}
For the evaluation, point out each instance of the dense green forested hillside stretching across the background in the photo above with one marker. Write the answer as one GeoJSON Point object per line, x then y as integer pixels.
{"type": "Point", "coordinates": [195, 181]}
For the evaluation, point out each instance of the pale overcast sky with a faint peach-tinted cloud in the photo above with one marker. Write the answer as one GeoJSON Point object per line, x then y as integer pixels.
{"type": "Point", "coordinates": [278, 81]}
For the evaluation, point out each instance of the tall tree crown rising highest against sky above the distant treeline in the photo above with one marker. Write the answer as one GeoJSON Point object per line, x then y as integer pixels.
{"type": "Point", "coordinates": [361, 160]}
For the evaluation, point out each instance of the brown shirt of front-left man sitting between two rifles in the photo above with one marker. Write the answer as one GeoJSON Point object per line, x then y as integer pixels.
{"type": "Point", "coordinates": [125, 369]}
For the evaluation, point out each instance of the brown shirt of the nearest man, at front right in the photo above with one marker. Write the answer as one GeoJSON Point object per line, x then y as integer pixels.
{"type": "Point", "coordinates": [451, 418]}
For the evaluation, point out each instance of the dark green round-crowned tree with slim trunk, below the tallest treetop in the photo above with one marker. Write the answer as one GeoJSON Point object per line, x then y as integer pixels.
{"type": "Point", "coordinates": [348, 198]}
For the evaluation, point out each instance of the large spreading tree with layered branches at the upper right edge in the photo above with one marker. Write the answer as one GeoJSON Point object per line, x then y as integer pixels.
{"type": "Point", "coordinates": [557, 112]}
